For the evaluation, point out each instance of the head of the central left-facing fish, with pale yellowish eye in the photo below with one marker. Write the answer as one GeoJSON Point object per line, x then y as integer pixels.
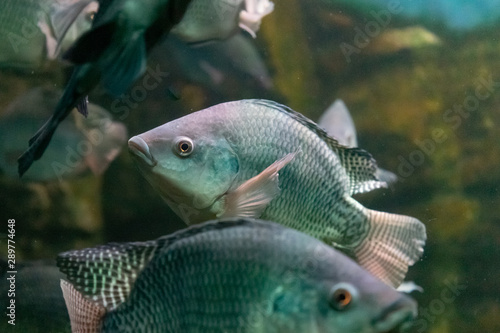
{"type": "Point", "coordinates": [189, 162]}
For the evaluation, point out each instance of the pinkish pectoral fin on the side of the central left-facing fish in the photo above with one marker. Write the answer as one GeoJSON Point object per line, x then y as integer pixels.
{"type": "Point", "coordinates": [251, 198]}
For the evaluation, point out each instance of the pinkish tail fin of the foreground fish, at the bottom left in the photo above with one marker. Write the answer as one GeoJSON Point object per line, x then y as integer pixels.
{"type": "Point", "coordinates": [84, 315]}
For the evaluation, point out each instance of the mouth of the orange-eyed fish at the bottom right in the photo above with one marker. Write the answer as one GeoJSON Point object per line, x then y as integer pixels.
{"type": "Point", "coordinates": [398, 317]}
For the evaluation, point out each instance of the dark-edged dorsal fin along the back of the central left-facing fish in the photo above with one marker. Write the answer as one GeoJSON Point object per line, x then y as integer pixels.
{"type": "Point", "coordinates": [360, 166]}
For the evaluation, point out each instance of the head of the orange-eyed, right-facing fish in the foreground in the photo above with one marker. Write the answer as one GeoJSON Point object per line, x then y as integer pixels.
{"type": "Point", "coordinates": [329, 293]}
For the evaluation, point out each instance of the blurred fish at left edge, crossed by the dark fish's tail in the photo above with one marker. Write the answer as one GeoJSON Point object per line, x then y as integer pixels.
{"type": "Point", "coordinates": [80, 145]}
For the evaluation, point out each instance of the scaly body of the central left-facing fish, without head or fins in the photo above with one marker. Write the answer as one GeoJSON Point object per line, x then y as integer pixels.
{"type": "Point", "coordinates": [315, 178]}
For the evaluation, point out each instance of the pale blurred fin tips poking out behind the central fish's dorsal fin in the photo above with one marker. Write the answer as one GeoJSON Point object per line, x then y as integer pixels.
{"type": "Point", "coordinates": [338, 123]}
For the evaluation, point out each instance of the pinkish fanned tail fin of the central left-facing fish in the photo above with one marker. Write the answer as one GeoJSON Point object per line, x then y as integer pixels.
{"type": "Point", "coordinates": [394, 242]}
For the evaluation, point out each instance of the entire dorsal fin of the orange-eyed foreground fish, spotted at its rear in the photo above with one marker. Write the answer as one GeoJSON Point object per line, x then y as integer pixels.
{"type": "Point", "coordinates": [106, 274]}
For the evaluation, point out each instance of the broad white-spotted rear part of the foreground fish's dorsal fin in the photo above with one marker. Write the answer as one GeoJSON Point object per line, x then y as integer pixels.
{"type": "Point", "coordinates": [106, 274]}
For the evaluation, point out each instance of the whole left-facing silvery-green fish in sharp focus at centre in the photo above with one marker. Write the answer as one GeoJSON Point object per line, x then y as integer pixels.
{"type": "Point", "coordinates": [258, 158]}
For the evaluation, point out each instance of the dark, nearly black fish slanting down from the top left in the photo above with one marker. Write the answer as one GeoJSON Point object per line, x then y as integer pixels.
{"type": "Point", "coordinates": [112, 53]}
